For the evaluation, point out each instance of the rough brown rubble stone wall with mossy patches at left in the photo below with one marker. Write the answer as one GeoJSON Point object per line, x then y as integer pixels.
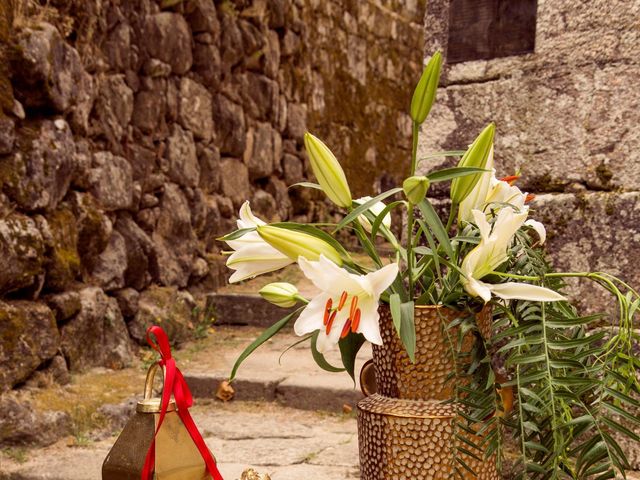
{"type": "Point", "coordinates": [132, 131]}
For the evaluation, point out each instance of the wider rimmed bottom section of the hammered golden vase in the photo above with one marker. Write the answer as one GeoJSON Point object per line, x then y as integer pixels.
{"type": "Point", "coordinates": [412, 439]}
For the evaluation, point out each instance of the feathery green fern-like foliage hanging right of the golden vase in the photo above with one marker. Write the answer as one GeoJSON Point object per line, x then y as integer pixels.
{"type": "Point", "coordinates": [574, 379]}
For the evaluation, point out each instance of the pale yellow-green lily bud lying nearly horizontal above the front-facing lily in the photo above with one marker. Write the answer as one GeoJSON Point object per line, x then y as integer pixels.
{"type": "Point", "coordinates": [298, 244]}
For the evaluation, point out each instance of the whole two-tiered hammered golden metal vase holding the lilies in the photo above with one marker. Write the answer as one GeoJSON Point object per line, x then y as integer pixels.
{"type": "Point", "coordinates": [405, 430]}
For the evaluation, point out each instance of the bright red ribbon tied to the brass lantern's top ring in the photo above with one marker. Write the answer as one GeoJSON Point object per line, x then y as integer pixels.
{"type": "Point", "coordinates": [175, 384]}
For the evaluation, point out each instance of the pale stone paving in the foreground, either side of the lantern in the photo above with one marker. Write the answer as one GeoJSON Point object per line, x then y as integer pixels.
{"type": "Point", "coordinates": [287, 443]}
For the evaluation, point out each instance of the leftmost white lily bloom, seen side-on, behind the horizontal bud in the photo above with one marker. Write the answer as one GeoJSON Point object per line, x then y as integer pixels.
{"type": "Point", "coordinates": [253, 256]}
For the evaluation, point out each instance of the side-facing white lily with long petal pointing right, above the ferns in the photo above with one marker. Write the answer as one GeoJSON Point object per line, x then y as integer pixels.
{"type": "Point", "coordinates": [491, 252]}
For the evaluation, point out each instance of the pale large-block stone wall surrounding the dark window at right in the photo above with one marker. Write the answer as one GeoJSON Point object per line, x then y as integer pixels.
{"type": "Point", "coordinates": [568, 118]}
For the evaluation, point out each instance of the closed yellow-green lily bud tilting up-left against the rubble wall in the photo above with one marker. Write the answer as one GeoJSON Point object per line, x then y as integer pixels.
{"type": "Point", "coordinates": [328, 171]}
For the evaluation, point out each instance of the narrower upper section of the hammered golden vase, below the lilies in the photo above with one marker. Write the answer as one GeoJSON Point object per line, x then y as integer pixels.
{"type": "Point", "coordinates": [426, 379]}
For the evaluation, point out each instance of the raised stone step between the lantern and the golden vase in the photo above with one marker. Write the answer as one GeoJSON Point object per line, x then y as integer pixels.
{"type": "Point", "coordinates": [292, 378]}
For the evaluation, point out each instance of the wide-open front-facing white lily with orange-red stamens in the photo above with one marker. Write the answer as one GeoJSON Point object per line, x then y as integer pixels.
{"type": "Point", "coordinates": [347, 302]}
